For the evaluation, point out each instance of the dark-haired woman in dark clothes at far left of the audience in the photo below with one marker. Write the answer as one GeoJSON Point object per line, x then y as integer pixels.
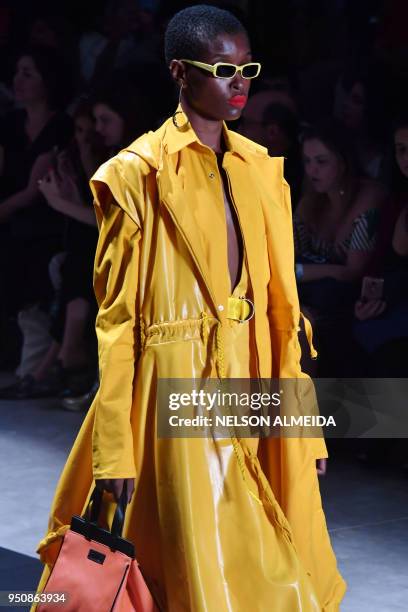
{"type": "Point", "coordinates": [30, 232]}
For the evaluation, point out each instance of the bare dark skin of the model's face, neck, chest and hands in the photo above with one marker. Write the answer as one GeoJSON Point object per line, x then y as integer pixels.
{"type": "Point", "coordinates": [204, 100]}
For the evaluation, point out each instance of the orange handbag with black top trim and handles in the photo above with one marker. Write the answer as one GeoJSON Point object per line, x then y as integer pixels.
{"type": "Point", "coordinates": [96, 569]}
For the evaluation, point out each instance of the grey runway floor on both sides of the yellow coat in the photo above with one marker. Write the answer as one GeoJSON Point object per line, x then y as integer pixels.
{"type": "Point", "coordinates": [366, 508]}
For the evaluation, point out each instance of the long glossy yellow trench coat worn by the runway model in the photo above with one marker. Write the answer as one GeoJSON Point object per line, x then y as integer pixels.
{"type": "Point", "coordinates": [204, 542]}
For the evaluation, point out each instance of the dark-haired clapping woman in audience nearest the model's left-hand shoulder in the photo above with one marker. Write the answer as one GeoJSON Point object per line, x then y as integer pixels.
{"type": "Point", "coordinates": [68, 366]}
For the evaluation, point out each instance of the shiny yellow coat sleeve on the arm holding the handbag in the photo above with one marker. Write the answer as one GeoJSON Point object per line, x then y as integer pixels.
{"type": "Point", "coordinates": [116, 273]}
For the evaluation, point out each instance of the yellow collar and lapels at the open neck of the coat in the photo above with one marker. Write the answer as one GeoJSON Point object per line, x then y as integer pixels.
{"type": "Point", "coordinates": [177, 190]}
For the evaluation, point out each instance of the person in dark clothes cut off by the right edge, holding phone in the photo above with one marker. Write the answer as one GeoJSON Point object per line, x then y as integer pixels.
{"type": "Point", "coordinates": [381, 326]}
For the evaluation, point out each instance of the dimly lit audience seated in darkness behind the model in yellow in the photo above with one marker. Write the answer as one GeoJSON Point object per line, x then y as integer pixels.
{"type": "Point", "coordinates": [83, 88]}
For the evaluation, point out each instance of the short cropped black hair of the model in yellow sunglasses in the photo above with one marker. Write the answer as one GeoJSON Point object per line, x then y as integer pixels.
{"type": "Point", "coordinates": [189, 31]}
